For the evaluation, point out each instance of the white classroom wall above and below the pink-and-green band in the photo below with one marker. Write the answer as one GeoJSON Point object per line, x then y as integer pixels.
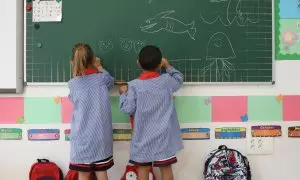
{"type": "Point", "coordinates": [16, 157]}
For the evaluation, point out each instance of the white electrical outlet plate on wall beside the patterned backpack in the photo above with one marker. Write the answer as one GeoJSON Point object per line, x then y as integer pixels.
{"type": "Point", "coordinates": [260, 145]}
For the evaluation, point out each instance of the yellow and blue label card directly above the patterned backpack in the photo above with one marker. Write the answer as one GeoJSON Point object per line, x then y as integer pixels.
{"type": "Point", "coordinates": [230, 133]}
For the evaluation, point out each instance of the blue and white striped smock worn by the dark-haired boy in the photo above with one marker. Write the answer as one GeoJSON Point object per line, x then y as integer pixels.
{"type": "Point", "coordinates": [156, 135]}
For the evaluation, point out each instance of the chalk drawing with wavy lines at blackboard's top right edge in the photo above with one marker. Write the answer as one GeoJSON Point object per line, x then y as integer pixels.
{"type": "Point", "coordinates": [234, 13]}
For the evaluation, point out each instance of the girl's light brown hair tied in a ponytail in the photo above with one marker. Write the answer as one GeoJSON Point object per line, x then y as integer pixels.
{"type": "Point", "coordinates": [82, 57]}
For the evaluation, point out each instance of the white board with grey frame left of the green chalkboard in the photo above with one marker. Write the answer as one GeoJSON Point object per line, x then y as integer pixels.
{"type": "Point", "coordinates": [11, 46]}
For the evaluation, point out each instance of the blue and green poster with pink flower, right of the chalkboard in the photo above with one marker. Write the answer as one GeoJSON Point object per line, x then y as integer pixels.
{"type": "Point", "coordinates": [287, 29]}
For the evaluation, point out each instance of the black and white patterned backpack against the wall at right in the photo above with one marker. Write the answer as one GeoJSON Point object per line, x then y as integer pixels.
{"type": "Point", "coordinates": [226, 164]}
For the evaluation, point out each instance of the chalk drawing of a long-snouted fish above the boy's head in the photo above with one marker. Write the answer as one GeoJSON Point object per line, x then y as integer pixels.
{"type": "Point", "coordinates": [163, 21]}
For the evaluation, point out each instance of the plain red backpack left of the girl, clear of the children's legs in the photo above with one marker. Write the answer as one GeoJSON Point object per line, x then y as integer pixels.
{"type": "Point", "coordinates": [45, 170]}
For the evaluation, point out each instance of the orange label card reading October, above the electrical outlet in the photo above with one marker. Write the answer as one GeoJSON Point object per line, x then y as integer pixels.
{"type": "Point", "coordinates": [266, 131]}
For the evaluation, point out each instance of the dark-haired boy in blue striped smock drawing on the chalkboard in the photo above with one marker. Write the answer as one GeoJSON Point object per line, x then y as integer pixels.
{"type": "Point", "coordinates": [156, 134]}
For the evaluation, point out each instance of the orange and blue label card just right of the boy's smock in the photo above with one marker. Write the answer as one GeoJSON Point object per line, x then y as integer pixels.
{"type": "Point", "coordinates": [195, 133]}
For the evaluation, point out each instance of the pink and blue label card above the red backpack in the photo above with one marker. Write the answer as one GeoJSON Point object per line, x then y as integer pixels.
{"type": "Point", "coordinates": [43, 134]}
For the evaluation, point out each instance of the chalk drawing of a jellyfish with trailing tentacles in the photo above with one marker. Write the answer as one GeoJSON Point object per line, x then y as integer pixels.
{"type": "Point", "coordinates": [218, 53]}
